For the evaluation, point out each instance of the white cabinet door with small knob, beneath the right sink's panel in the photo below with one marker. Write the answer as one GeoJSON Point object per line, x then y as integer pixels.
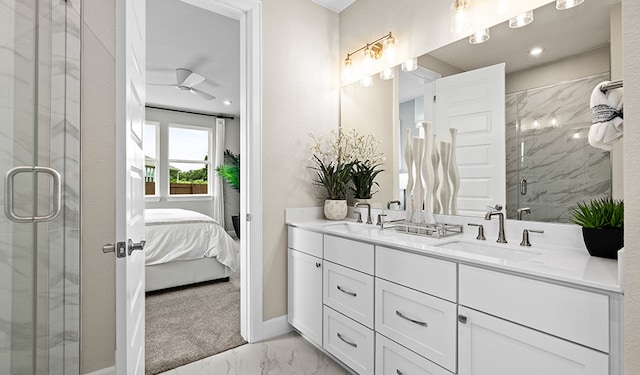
{"type": "Point", "coordinates": [490, 346]}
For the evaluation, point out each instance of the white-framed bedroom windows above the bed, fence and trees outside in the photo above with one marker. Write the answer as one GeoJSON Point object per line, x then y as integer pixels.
{"type": "Point", "coordinates": [177, 159]}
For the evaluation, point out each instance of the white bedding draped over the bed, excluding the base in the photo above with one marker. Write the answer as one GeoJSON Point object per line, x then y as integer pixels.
{"type": "Point", "coordinates": [176, 234]}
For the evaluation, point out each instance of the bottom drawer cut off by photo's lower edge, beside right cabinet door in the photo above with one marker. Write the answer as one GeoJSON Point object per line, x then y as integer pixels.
{"type": "Point", "coordinates": [394, 359]}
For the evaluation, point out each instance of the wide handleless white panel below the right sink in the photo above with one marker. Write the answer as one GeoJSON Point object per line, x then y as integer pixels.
{"type": "Point", "coordinates": [576, 315]}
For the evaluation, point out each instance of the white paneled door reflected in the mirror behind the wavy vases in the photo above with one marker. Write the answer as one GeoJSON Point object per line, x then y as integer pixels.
{"type": "Point", "coordinates": [473, 102]}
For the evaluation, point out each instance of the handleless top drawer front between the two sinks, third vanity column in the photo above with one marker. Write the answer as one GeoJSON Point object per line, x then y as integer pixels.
{"type": "Point", "coordinates": [433, 276]}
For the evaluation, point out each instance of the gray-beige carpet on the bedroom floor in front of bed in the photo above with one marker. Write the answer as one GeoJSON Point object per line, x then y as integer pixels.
{"type": "Point", "coordinates": [186, 324]}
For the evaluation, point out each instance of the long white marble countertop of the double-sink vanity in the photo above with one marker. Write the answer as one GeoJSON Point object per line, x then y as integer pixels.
{"type": "Point", "coordinates": [571, 265]}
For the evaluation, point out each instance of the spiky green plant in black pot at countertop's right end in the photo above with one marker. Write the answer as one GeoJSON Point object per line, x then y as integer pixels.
{"type": "Point", "coordinates": [602, 222]}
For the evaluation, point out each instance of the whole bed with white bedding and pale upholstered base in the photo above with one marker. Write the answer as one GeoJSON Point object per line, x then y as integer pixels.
{"type": "Point", "coordinates": [185, 247]}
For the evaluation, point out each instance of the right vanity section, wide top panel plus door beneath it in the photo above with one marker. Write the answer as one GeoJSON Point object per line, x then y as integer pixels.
{"type": "Point", "coordinates": [510, 324]}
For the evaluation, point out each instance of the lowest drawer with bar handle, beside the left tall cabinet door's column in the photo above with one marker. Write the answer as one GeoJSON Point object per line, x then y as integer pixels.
{"type": "Point", "coordinates": [350, 342]}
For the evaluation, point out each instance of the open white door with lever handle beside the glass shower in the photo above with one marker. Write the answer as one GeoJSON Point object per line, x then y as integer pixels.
{"type": "Point", "coordinates": [130, 99]}
